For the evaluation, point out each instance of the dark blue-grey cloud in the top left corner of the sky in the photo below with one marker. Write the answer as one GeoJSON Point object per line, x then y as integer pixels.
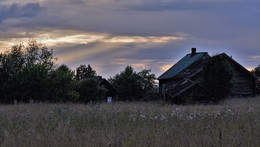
{"type": "Point", "coordinates": [14, 10]}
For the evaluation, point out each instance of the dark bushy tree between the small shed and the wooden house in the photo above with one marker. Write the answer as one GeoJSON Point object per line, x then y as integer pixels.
{"type": "Point", "coordinates": [134, 86]}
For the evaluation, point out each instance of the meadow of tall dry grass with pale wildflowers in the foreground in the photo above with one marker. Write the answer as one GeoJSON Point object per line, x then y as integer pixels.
{"type": "Point", "coordinates": [235, 122]}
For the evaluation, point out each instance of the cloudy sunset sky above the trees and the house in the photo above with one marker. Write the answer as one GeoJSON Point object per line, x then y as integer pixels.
{"type": "Point", "coordinates": [146, 34]}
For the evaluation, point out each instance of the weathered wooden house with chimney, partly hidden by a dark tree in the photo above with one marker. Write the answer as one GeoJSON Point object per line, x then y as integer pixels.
{"type": "Point", "coordinates": [184, 79]}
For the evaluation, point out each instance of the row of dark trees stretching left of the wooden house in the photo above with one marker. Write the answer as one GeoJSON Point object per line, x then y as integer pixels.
{"type": "Point", "coordinates": [29, 72]}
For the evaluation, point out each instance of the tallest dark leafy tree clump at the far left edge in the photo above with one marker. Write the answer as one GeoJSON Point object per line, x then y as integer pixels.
{"type": "Point", "coordinates": [25, 70]}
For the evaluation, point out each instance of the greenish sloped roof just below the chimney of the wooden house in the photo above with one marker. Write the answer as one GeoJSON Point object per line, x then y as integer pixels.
{"type": "Point", "coordinates": [184, 63]}
